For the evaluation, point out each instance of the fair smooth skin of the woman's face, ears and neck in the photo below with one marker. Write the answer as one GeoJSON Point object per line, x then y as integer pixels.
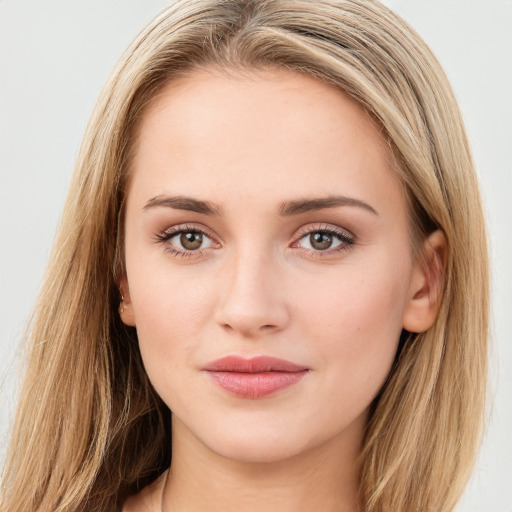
{"type": "Point", "coordinates": [246, 144]}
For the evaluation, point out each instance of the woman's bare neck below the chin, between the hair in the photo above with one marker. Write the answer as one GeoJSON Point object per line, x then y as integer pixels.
{"type": "Point", "coordinates": [323, 478]}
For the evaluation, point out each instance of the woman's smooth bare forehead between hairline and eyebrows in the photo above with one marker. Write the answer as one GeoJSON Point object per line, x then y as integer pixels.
{"type": "Point", "coordinates": [273, 133]}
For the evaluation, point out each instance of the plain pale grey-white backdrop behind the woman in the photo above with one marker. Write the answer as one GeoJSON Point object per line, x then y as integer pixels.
{"type": "Point", "coordinates": [55, 56]}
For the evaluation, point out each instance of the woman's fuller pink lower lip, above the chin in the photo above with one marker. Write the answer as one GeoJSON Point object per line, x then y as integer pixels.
{"type": "Point", "coordinates": [255, 385]}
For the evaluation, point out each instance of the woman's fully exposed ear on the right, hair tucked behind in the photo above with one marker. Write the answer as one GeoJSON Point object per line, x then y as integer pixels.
{"type": "Point", "coordinates": [427, 284]}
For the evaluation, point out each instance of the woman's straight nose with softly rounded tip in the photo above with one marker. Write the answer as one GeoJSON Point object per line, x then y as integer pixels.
{"type": "Point", "coordinates": [252, 297]}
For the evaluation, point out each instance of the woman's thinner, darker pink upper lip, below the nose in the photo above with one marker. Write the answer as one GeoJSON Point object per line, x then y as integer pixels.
{"type": "Point", "coordinates": [259, 364]}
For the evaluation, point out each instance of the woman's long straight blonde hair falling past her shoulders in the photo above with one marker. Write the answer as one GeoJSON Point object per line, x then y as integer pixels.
{"type": "Point", "coordinates": [90, 430]}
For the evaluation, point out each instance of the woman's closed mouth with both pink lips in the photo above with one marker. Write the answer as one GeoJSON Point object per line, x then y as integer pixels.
{"type": "Point", "coordinates": [256, 377]}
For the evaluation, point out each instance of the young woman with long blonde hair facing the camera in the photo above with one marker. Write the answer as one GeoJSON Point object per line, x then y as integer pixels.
{"type": "Point", "coordinates": [275, 233]}
